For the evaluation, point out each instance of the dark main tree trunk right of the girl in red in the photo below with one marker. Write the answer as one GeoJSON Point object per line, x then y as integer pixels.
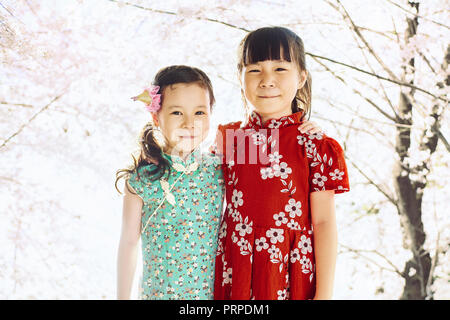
{"type": "Point", "coordinates": [409, 193]}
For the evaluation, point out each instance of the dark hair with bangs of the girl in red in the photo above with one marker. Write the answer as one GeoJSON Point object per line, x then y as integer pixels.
{"type": "Point", "coordinates": [266, 44]}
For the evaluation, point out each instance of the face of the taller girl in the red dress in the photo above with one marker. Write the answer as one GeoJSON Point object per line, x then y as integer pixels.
{"type": "Point", "coordinates": [270, 86]}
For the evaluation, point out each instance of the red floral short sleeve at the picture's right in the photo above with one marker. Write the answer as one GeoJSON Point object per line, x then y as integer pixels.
{"type": "Point", "coordinates": [328, 170]}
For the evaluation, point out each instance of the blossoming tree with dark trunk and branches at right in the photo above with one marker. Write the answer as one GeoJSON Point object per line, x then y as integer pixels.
{"type": "Point", "coordinates": [413, 154]}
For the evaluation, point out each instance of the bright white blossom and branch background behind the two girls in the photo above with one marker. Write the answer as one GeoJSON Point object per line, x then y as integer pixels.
{"type": "Point", "coordinates": [69, 67]}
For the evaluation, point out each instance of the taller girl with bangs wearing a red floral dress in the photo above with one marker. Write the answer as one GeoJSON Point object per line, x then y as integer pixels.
{"type": "Point", "coordinates": [278, 237]}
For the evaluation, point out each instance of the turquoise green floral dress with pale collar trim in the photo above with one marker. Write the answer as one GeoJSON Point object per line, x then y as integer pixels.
{"type": "Point", "coordinates": [179, 239]}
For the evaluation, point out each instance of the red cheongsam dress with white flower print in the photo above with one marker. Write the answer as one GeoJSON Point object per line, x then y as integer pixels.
{"type": "Point", "coordinates": [266, 247]}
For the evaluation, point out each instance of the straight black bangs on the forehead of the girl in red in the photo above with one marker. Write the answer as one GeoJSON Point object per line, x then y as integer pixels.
{"type": "Point", "coordinates": [265, 44]}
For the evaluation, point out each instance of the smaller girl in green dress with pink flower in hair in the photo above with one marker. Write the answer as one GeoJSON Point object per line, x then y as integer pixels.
{"type": "Point", "coordinates": [173, 193]}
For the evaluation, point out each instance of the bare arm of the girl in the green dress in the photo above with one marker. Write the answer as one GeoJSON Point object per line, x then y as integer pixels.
{"type": "Point", "coordinates": [128, 246]}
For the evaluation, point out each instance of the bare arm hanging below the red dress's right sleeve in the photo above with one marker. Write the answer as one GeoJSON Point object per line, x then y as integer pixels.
{"type": "Point", "coordinates": [325, 241]}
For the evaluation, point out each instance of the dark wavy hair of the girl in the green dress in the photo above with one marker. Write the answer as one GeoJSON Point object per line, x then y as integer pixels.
{"type": "Point", "coordinates": [150, 150]}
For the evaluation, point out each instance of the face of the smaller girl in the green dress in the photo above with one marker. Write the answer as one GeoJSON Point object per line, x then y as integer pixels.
{"type": "Point", "coordinates": [184, 117]}
